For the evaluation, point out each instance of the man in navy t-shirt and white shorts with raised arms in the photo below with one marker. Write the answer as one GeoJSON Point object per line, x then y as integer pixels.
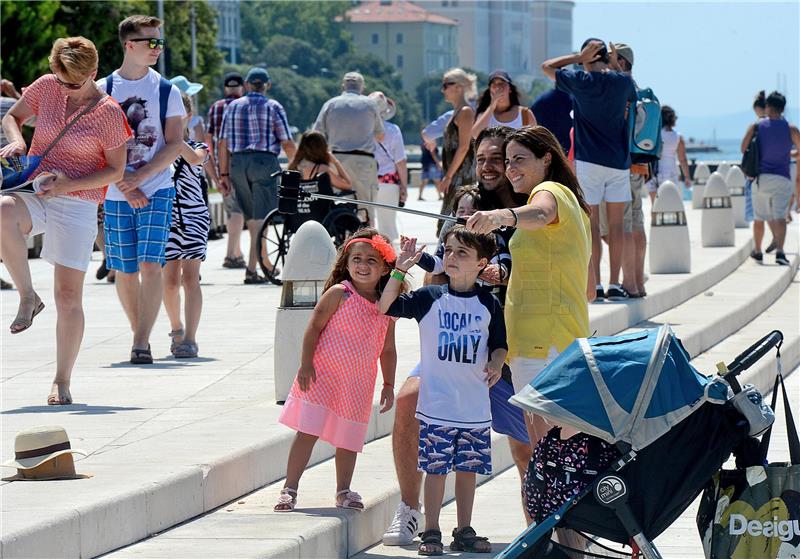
{"type": "Point", "coordinates": [601, 103]}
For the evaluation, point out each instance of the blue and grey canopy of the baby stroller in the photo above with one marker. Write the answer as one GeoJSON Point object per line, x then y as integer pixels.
{"type": "Point", "coordinates": [631, 388]}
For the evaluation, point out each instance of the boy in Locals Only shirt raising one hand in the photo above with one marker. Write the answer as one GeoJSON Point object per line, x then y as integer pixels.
{"type": "Point", "coordinates": [463, 348]}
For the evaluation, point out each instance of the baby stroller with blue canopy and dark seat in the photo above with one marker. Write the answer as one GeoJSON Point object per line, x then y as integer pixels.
{"type": "Point", "coordinates": [672, 426]}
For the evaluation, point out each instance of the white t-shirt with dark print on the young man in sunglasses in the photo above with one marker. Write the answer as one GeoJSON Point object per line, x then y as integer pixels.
{"type": "Point", "coordinates": [139, 100]}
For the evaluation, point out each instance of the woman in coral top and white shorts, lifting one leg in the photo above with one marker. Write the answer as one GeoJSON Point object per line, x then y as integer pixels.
{"type": "Point", "coordinates": [82, 162]}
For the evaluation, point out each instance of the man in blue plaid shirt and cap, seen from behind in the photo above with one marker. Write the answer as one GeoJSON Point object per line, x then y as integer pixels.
{"type": "Point", "coordinates": [254, 129]}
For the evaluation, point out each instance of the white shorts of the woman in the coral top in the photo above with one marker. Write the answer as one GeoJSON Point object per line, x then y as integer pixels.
{"type": "Point", "coordinates": [69, 225]}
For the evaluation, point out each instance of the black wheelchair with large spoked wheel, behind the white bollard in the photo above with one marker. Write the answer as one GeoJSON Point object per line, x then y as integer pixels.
{"type": "Point", "coordinates": [340, 220]}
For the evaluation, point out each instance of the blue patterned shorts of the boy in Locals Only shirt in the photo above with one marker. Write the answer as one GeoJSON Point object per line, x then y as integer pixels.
{"type": "Point", "coordinates": [442, 449]}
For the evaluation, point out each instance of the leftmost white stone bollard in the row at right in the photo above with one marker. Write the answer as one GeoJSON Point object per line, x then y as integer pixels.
{"type": "Point", "coordinates": [670, 252]}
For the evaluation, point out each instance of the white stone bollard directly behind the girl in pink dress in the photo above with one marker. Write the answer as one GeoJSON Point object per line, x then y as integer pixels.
{"type": "Point", "coordinates": [306, 268]}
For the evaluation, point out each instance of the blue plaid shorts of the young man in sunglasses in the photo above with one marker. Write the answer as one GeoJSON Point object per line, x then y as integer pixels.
{"type": "Point", "coordinates": [135, 235]}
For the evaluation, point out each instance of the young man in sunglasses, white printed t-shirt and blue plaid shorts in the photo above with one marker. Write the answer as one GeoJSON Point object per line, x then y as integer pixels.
{"type": "Point", "coordinates": [138, 208]}
